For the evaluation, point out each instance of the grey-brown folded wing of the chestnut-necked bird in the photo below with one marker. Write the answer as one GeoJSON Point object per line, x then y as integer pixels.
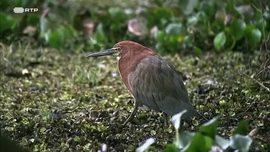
{"type": "Point", "coordinates": [156, 85]}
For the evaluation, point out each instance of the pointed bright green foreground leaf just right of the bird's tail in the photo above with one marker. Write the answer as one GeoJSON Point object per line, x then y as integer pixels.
{"type": "Point", "coordinates": [210, 128]}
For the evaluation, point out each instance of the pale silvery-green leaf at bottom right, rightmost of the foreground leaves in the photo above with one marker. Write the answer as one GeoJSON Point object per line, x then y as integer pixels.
{"type": "Point", "coordinates": [241, 142]}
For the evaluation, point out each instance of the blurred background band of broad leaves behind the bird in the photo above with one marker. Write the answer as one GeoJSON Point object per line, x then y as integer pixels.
{"type": "Point", "coordinates": [170, 26]}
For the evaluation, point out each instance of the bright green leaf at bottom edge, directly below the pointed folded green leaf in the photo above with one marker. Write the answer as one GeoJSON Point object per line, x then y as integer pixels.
{"type": "Point", "coordinates": [199, 143]}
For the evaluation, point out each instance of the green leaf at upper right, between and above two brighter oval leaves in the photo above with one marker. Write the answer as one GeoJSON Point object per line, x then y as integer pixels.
{"type": "Point", "coordinates": [237, 28]}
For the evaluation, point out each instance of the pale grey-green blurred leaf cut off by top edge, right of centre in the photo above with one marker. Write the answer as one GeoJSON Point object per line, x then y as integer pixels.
{"type": "Point", "coordinates": [188, 6]}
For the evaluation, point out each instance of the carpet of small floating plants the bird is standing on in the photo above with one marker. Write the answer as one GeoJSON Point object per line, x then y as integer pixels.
{"type": "Point", "coordinates": [56, 101]}
